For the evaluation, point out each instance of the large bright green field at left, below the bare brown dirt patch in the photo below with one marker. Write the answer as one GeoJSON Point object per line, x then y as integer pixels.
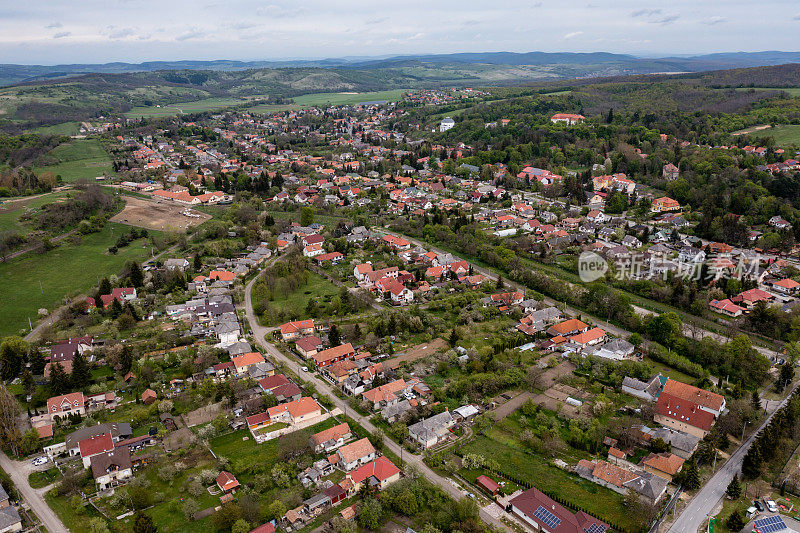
{"type": "Point", "coordinates": [66, 270]}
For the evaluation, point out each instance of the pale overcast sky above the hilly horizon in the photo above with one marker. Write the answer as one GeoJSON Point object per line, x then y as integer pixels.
{"type": "Point", "coordinates": [93, 31]}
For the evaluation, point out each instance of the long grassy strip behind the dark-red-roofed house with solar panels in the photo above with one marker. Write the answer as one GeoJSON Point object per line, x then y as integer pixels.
{"type": "Point", "coordinates": [601, 502]}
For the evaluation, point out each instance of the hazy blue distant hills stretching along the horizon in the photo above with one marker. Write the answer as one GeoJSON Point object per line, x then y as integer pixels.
{"type": "Point", "coordinates": [560, 64]}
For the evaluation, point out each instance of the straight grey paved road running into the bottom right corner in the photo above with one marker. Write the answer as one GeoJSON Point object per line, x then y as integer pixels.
{"type": "Point", "coordinates": [695, 514]}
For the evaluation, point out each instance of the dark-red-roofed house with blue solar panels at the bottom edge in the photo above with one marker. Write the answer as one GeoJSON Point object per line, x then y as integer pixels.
{"type": "Point", "coordinates": [543, 514]}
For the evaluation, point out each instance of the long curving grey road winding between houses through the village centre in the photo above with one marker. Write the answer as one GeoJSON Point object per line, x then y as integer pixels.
{"type": "Point", "coordinates": [261, 334]}
